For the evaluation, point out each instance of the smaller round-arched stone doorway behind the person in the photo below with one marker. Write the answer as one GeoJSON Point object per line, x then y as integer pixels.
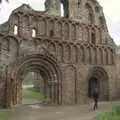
{"type": "Point", "coordinates": [98, 78]}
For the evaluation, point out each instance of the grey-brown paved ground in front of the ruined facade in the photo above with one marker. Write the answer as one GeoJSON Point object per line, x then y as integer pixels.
{"type": "Point", "coordinates": [76, 112]}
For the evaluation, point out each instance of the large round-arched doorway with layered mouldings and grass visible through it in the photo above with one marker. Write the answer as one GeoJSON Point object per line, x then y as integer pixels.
{"type": "Point", "coordinates": [44, 64]}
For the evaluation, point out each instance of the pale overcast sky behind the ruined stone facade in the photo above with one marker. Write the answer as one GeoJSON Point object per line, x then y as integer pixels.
{"type": "Point", "coordinates": [111, 10]}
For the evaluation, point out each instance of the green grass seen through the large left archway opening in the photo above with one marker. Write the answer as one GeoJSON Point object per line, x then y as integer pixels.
{"type": "Point", "coordinates": [32, 93]}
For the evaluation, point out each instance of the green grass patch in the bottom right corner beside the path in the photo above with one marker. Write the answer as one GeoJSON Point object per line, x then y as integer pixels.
{"type": "Point", "coordinates": [107, 116]}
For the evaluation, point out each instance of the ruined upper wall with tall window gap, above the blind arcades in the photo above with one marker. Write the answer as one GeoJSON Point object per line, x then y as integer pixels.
{"type": "Point", "coordinates": [84, 11]}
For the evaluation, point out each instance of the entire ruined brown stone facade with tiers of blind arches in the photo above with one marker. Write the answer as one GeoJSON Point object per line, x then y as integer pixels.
{"type": "Point", "coordinates": [73, 53]}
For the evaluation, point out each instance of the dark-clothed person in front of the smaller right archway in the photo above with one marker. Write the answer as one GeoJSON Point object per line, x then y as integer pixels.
{"type": "Point", "coordinates": [95, 97]}
